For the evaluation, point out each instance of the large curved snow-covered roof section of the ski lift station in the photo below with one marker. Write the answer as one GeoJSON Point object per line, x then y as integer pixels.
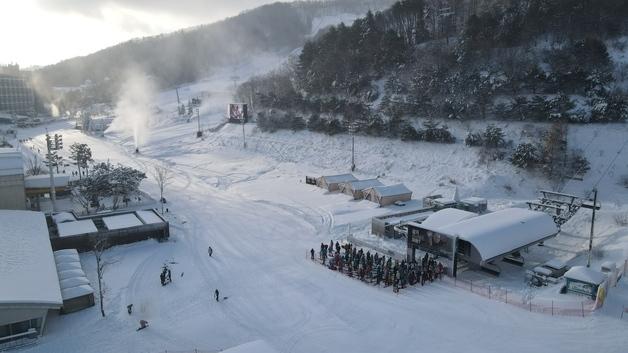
{"type": "Point", "coordinates": [504, 231]}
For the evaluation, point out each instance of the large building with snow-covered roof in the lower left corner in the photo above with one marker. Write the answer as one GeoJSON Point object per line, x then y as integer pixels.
{"type": "Point", "coordinates": [28, 274]}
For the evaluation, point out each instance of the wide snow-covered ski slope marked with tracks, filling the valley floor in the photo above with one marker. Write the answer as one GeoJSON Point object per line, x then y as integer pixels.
{"type": "Point", "coordinates": [254, 209]}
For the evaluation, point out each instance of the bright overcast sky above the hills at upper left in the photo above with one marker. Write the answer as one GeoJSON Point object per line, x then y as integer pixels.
{"type": "Point", "coordinates": [41, 32]}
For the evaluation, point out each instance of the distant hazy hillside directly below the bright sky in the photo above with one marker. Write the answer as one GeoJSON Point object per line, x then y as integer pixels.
{"type": "Point", "coordinates": [190, 54]}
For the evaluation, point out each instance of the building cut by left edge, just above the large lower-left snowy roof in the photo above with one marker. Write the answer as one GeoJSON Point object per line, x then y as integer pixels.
{"type": "Point", "coordinates": [12, 196]}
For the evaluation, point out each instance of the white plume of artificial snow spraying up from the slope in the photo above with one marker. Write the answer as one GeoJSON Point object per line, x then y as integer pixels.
{"type": "Point", "coordinates": [133, 110]}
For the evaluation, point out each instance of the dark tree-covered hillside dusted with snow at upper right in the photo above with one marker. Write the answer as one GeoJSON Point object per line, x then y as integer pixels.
{"type": "Point", "coordinates": [528, 60]}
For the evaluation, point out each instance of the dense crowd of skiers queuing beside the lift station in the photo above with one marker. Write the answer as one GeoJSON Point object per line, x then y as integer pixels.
{"type": "Point", "coordinates": [376, 269]}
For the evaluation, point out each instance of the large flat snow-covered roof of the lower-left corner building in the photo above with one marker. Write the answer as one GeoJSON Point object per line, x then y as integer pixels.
{"type": "Point", "coordinates": [28, 273]}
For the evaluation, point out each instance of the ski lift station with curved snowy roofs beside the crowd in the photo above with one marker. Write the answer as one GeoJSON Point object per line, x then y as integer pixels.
{"type": "Point", "coordinates": [466, 239]}
